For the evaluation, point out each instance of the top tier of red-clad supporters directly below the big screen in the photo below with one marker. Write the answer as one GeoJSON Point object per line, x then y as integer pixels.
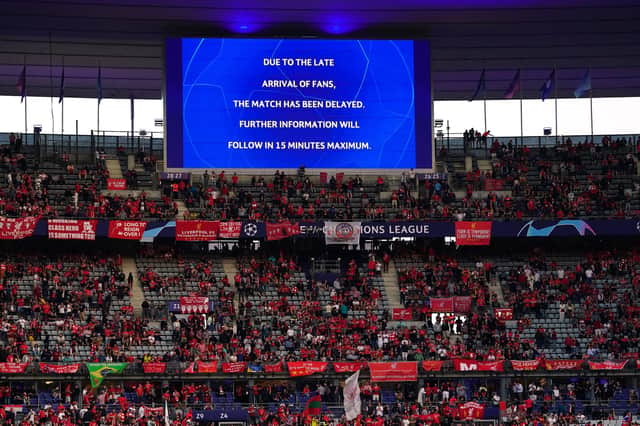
{"type": "Point", "coordinates": [569, 180]}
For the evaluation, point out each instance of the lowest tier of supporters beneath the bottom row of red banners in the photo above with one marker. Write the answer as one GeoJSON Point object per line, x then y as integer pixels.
{"type": "Point", "coordinates": [278, 403]}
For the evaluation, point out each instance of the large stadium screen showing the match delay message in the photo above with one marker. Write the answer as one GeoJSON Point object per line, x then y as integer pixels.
{"type": "Point", "coordinates": [284, 103]}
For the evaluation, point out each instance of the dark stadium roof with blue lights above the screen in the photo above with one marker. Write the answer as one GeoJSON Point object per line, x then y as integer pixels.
{"type": "Point", "coordinates": [126, 38]}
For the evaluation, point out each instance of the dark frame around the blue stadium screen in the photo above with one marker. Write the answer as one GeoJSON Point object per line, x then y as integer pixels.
{"type": "Point", "coordinates": [173, 119]}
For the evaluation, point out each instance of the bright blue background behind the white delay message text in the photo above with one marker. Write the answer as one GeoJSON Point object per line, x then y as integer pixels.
{"type": "Point", "coordinates": [380, 73]}
